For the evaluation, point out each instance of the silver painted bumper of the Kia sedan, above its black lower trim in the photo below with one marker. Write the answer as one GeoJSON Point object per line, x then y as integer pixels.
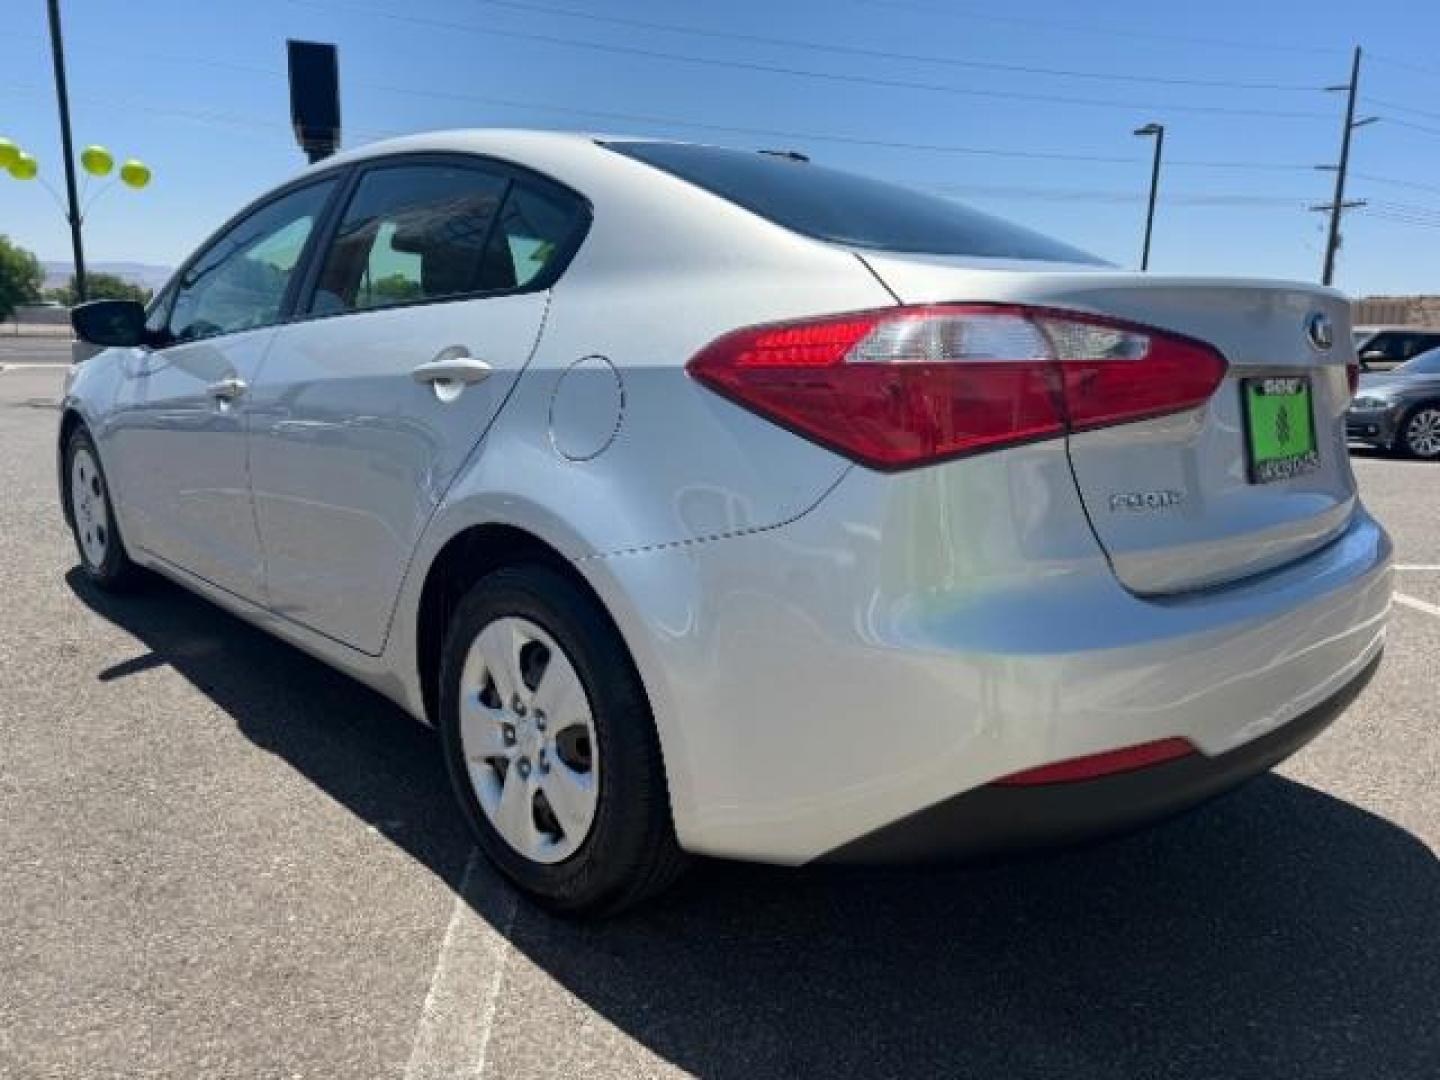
{"type": "Point", "coordinates": [921, 636]}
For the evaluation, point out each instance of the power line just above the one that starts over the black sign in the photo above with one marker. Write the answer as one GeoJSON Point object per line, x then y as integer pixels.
{"type": "Point", "coordinates": [889, 55]}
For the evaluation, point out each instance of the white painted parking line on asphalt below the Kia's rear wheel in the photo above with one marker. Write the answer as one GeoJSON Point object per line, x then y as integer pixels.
{"type": "Point", "coordinates": [453, 1036]}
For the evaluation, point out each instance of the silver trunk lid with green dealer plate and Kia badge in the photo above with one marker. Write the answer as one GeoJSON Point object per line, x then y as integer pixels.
{"type": "Point", "coordinates": [1255, 479]}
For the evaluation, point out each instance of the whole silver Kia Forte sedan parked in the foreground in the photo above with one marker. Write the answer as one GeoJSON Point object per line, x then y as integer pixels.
{"type": "Point", "coordinates": [716, 502]}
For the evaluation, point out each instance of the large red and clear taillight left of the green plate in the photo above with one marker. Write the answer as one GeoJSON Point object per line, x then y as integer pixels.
{"type": "Point", "coordinates": [909, 387]}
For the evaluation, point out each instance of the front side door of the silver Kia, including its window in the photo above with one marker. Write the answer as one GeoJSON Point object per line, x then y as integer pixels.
{"type": "Point", "coordinates": [178, 441]}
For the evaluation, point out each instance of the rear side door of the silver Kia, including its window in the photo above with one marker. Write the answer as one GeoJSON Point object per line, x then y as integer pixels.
{"type": "Point", "coordinates": [427, 305]}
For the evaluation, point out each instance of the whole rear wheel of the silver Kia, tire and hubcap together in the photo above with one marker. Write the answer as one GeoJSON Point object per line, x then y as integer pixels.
{"type": "Point", "coordinates": [551, 745]}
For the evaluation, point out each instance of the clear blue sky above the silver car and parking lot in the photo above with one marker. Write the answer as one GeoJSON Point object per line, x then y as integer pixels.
{"type": "Point", "coordinates": [202, 99]}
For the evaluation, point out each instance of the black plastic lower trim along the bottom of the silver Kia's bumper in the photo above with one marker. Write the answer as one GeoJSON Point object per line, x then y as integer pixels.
{"type": "Point", "coordinates": [1000, 819]}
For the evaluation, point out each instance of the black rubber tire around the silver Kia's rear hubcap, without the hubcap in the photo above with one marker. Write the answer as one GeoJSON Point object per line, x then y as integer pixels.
{"type": "Point", "coordinates": [630, 852]}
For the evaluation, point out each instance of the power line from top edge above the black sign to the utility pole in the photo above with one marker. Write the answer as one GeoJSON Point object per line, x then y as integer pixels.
{"type": "Point", "coordinates": [809, 74]}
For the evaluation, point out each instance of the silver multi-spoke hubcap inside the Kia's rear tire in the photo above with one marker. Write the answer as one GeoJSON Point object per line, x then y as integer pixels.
{"type": "Point", "coordinates": [529, 739]}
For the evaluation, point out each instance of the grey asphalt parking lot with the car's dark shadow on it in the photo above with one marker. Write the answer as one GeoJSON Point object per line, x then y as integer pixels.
{"type": "Point", "coordinates": [218, 858]}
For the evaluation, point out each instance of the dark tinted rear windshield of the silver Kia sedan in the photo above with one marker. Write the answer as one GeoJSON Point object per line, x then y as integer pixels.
{"type": "Point", "coordinates": [849, 210]}
